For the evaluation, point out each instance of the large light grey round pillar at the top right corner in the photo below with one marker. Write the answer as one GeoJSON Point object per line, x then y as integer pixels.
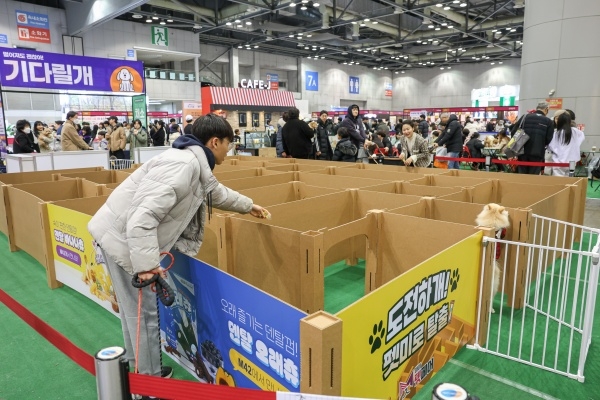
{"type": "Point", "coordinates": [557, 56]}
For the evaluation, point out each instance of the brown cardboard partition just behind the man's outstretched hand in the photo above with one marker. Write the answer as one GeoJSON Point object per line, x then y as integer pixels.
{"type": "Point", "coordinates": [285, 192]}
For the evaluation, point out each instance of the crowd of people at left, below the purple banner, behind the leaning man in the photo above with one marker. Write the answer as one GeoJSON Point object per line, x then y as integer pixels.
{"type": "Point", "coordinates": [111, 134]}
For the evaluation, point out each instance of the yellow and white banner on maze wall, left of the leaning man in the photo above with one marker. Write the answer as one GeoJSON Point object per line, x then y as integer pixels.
{"type": "Point", "coordinates": [78, 261]}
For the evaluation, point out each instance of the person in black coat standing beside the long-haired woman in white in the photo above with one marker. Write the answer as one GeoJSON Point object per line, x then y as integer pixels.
{"type": "Point", "coordinates": [540, 130]}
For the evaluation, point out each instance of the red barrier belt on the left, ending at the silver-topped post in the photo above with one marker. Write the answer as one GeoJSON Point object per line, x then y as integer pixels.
{"type": "Point", "coordinates": [59, 341]}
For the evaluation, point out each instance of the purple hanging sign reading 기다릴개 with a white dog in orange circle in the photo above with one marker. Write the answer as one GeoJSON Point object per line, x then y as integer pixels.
{"type": "Point", "coordinates": [34, 69]}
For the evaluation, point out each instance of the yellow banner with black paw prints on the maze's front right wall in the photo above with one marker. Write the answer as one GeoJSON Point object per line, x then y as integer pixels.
{"type": "Point", "coordinates": [395, 338]}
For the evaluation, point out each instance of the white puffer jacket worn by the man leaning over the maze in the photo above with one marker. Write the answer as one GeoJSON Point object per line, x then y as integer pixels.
{"type": "Point", "coordinates": [161, 206]}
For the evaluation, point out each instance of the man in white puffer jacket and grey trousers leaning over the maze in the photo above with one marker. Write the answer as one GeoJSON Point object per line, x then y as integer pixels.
{"type": "Point", "coordinates": [159, 208]}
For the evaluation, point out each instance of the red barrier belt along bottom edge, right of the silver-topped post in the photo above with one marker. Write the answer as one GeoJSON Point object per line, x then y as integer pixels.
{"type": "Point", "coordinates": [176, 389]}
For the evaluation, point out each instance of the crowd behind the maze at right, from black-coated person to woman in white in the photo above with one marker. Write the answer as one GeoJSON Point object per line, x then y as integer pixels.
{"type": "Point", "coordinates": [415, 141]}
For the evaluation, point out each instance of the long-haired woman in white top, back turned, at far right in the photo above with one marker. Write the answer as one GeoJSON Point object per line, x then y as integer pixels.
{"type": "Point", "coordinates": [566, 144]}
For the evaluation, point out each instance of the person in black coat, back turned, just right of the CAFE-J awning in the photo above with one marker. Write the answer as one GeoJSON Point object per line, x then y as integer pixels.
{"type": "Point", "coordinates": [296, 136]}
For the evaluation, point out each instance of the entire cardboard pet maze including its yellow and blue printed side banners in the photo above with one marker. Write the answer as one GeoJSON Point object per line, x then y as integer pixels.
{"type": "Point", "coordinates": [263, 305]}
